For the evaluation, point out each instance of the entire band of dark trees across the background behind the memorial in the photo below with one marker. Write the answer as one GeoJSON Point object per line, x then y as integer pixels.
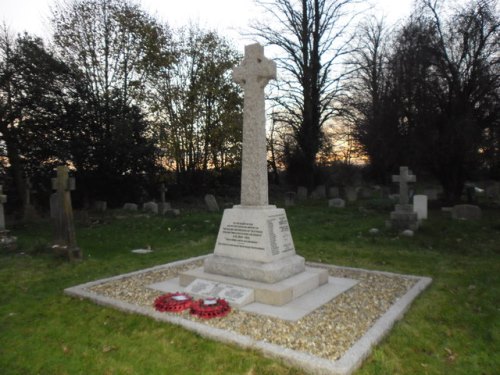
{"type": "Point", "coordinates": [122, 98]}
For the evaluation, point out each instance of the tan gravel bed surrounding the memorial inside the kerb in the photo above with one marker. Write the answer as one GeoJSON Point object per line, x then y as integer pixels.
{"type": "Point", "coordinates": [328, 332]}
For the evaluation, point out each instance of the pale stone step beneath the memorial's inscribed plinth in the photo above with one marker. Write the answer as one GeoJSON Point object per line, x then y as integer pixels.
{"type": "Point", "coordinates": [277, 294]}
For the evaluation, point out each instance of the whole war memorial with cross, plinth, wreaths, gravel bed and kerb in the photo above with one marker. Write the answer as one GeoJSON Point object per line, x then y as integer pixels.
{"type": "Point", "coordinates": [279, 304]}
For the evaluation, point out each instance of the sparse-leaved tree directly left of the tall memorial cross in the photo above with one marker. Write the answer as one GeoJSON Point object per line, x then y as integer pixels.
{"type": "Point", "coordinates": [196, 105]}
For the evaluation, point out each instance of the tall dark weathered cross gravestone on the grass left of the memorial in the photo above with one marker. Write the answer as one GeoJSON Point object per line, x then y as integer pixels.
{"type": "Point", "coordinates": [64, 227]}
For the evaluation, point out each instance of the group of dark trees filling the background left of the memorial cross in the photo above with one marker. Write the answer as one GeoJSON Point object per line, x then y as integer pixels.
{"type": "Point", "coordinates": [120, 98]}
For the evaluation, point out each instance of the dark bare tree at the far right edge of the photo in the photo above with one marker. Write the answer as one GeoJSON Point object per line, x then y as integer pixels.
{"type": "Point", "coordinates": [467, 66]}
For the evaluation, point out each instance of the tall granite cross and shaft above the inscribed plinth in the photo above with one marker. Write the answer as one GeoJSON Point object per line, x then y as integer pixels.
{"type": "Point", "coordinates": [253, 74]}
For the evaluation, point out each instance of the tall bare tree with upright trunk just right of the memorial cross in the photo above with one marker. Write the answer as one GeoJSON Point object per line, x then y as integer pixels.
{"type": "Point", "coordinates": [313, 36]}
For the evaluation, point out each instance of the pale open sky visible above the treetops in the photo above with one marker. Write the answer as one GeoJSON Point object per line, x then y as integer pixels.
{"type": "Point", "coordinates": [229, 17]}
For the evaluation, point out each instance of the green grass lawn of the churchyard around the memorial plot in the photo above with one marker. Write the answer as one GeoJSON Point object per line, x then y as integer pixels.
{"type": "Point", "coordinates": [452, 328]}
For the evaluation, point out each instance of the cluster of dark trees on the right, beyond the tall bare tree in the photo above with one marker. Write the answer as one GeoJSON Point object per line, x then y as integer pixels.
{"type": "Point", "coordinates": [429, 96]}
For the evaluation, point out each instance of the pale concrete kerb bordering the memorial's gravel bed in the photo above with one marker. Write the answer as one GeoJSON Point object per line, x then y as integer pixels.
{"type": "Point", "coordinates": [347, 364]}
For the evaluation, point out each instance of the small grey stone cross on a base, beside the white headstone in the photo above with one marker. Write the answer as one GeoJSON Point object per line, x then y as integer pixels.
{"type": "Point", "coordinates": [403, 217]}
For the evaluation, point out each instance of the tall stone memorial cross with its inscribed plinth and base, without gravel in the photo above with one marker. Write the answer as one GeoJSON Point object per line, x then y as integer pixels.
{"type": "Point", "coordinates": [254, 243]}
